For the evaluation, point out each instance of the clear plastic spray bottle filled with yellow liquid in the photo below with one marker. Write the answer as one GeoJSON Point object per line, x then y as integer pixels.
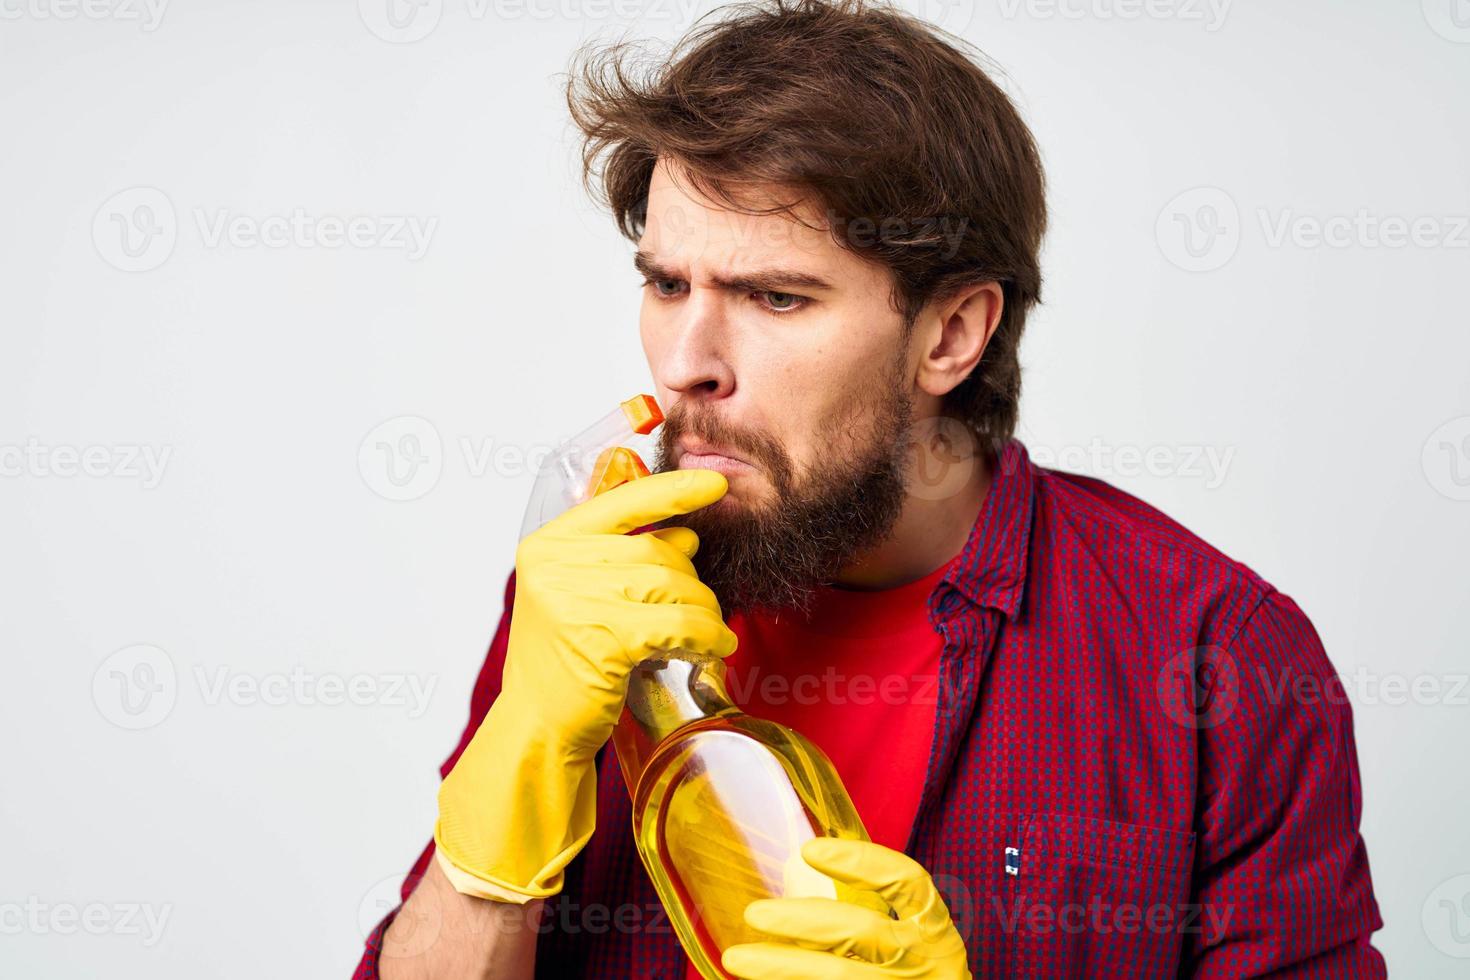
{"type": "Point", "coordinates": [723, 801]}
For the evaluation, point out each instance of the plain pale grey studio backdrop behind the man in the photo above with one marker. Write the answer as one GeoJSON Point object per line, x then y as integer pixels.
{"type": "Point", "coordinates": [292, 292]}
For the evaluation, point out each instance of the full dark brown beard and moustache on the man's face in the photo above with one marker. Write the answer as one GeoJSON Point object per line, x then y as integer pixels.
{"type": "Point", "coordinates": [775, 556]}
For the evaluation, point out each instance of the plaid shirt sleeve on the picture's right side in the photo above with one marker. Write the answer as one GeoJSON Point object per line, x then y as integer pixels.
{"type": "Point", "coordinates": [1283, 875]}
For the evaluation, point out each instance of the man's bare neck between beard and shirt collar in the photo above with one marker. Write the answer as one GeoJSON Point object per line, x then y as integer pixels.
{"type": "Point", "coordinates": [931, 530]}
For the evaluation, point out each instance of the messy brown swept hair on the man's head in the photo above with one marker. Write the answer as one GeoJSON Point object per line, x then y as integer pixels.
{"type": "Point", "coordinates": [884, 123]}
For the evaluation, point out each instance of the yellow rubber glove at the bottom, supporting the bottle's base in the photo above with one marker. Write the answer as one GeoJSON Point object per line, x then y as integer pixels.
{"type": "Point", "coordinates": [822, 938]}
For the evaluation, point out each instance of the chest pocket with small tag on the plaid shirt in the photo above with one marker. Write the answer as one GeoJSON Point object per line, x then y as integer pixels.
{"type": "Point", "coordinates": [1096, 898]}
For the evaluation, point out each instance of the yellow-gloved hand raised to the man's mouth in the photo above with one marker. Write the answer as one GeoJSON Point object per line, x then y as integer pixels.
{"type": "Point", "coordinates": [592, 603]}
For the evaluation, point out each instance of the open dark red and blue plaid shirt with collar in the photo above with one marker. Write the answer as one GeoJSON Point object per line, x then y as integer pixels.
{"type": "Point", "coordinates": [1137, 768]}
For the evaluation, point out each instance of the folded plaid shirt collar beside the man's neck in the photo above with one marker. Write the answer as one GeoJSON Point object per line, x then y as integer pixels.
{"type": "Point", "coordinates": [992, 569]}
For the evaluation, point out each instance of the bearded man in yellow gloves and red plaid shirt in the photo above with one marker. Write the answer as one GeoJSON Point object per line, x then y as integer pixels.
{"type": "Point", "coordinates": [1059, 713]}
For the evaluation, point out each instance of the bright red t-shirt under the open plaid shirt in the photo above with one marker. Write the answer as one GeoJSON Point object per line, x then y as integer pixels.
{"type": "Point", "coordinates": [861, 681]}
